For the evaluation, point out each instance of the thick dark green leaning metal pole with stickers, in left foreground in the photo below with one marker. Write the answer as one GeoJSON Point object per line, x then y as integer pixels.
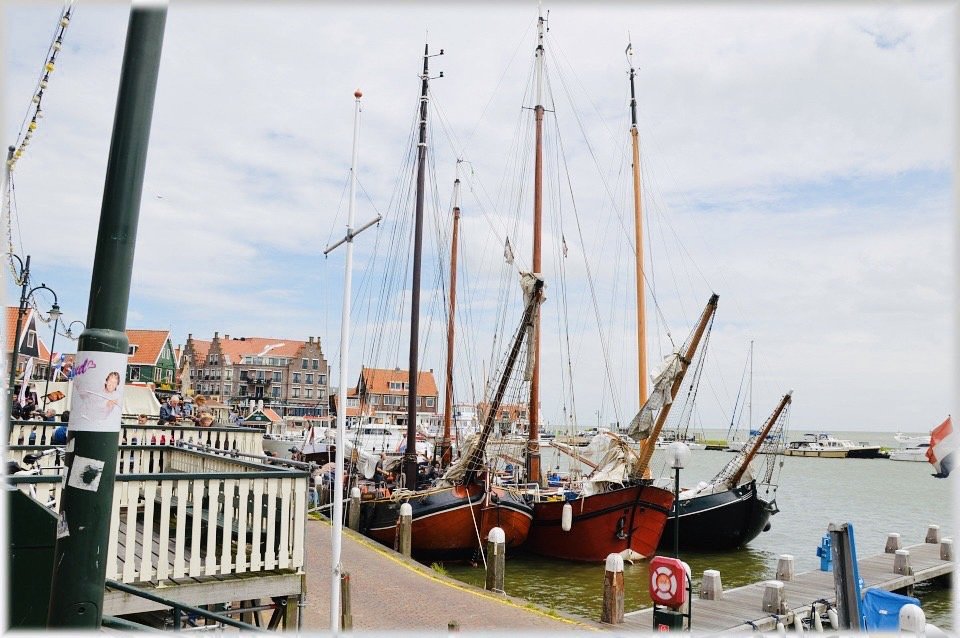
{"type": "Point", "coordinates": [77, 586]}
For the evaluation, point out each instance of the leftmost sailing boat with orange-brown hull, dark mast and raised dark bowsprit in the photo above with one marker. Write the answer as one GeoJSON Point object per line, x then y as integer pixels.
{"type": "Point", "coordinates": [452, 516]}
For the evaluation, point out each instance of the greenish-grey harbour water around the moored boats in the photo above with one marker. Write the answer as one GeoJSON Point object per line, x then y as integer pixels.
{"type": "Point", "coordinates": [877, 496]}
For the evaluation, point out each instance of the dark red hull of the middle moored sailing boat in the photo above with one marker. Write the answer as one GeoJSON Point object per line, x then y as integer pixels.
{"type": "Point", "coordinates": [629, 518]}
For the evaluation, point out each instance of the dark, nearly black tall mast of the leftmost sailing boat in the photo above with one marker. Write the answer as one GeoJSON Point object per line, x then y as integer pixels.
{"type": "Point", "coordinates": [410, 455]}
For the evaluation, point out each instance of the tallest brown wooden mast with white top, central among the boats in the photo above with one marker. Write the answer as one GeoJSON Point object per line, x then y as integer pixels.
{"type": "Point", "coordinates": [533, 440]}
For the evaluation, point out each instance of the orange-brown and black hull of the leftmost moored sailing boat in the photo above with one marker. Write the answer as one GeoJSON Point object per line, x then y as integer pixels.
{"type": "Point", "coordinates": [448, 523]}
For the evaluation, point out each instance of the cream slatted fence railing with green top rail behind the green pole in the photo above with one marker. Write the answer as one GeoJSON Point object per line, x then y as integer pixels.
{"type": "Point", "coordinates": [195, 515]}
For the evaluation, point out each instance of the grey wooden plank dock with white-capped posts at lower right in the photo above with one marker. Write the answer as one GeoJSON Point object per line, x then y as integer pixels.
{"type": "Point", "coordinates": [740, 610]}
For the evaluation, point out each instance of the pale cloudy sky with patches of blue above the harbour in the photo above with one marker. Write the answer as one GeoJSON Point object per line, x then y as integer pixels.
{"type": "Point", "coordinates": [797, 160]}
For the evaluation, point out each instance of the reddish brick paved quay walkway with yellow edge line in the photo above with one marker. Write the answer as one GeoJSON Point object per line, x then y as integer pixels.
{"type": "Point", "coordinates": [389, 591]}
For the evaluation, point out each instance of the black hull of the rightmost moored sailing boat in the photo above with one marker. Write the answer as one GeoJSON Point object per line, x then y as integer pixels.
{"type": "Point", "coordinates": [721, 521]}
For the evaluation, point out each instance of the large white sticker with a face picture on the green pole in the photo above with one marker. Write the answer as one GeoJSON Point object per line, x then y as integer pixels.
{"type": "Point", "coordinates": [97, 401]}
